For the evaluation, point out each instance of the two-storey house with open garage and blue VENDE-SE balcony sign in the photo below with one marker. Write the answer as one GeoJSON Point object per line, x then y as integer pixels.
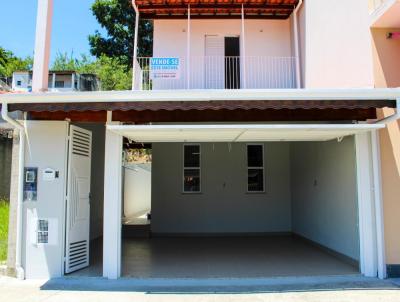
{"type": "Point", "coordinates": [262, 123]}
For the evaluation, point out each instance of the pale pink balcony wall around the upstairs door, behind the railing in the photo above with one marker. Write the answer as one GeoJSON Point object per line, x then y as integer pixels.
{"type": "Point", "coordinates": [263, 39]}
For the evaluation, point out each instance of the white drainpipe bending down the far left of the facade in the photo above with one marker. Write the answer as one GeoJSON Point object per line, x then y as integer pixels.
{"type": "Point", "coordinates": [18, 263]}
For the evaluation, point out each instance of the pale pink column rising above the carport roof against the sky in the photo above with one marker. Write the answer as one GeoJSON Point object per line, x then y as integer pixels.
{"type": "Point", "coordinates": [40, 80]}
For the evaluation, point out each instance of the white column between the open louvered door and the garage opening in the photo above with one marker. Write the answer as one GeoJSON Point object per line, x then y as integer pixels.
{"type": "Point", "coordinates": [112, 206]}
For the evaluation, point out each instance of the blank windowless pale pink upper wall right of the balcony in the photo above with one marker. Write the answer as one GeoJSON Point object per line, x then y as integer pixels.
{"type": "Point", "coordinates": [337, 44]}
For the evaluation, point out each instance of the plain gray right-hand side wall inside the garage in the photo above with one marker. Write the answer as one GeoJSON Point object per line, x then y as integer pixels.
{"type": "Point", "coordinates": [324, 194]}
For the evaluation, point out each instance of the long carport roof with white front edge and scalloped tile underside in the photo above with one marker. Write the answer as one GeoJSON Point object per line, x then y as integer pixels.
{"type": "Point", "coordinates": [203, 100]}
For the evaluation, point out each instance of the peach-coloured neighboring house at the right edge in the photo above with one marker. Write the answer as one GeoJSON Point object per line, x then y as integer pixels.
{"type": "Point", "coordinates": [385, 31]}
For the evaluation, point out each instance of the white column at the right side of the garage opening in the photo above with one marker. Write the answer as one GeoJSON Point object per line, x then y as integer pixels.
{"type": "Point", "coordinates": [368, 199]}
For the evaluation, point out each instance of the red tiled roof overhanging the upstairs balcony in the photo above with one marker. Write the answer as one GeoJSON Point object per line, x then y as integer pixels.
{"type": "Point", "coordinates": [211, 9]}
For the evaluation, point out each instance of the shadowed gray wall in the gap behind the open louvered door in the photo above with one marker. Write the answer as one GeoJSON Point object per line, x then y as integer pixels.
{"type": "Point", "coordinates": [97, 178]}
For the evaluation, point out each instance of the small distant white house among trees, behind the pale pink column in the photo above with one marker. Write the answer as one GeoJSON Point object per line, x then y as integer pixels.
{"type": "Point", "coordinates": [58, 81]}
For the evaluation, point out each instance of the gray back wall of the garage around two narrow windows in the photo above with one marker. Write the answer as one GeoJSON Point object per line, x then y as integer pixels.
{"type": "Point", "coordinates": [223, 206]}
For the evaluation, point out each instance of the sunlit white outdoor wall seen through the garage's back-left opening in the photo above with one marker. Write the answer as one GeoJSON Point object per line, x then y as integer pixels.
{"type": "Point", "coordinates": [137, 189]}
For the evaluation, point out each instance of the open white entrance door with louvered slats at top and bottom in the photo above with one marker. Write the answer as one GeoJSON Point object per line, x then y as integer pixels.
{"type": "Point", "coordinates": [78, 199]}
